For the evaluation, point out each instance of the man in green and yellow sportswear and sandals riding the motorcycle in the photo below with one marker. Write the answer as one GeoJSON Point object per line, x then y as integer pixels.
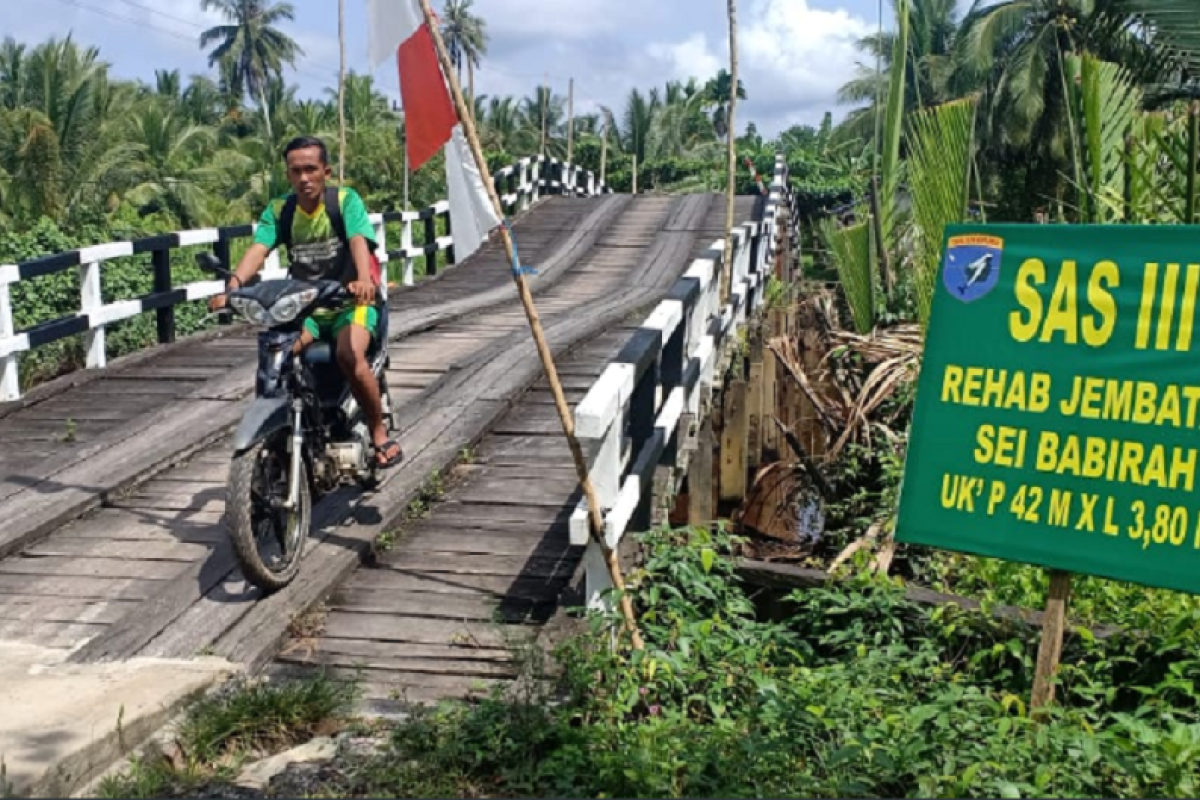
{"type": "Point", "coordinates": [329, 237]}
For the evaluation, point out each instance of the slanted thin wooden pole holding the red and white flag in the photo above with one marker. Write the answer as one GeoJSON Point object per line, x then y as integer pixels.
{"type": "Point", "coordinates": [548, 359]}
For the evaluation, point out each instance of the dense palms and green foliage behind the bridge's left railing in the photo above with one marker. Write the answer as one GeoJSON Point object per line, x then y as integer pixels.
{"type": "Point", "coordinates": [88, 158]}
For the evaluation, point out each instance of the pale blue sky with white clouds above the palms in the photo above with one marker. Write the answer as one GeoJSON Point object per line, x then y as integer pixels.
{"type": "Point", "coordinates": [794, 55]}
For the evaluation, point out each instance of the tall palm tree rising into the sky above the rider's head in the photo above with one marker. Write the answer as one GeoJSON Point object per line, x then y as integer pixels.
{"type": "Point", "coordinates": [251, 46]}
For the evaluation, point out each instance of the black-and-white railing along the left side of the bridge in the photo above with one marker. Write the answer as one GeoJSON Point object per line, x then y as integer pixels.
{"type": "Point", "coordinates": [519, 187]}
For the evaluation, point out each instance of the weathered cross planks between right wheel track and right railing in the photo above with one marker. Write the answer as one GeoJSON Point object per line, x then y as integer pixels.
{"type": "Point", "coordinates": [447, 609]}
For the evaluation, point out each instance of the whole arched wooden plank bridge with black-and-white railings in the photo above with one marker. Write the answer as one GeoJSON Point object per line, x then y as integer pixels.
{"type": "Point", "coordinates": [112, 478]}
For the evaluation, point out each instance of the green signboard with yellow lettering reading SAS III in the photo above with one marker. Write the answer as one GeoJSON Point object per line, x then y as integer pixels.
{"type": "Point", "coordinates": [1058, 417]}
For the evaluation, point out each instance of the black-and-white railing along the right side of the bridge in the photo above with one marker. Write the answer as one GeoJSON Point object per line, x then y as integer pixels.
{"type": "Point", "coordinates": [631, 420]}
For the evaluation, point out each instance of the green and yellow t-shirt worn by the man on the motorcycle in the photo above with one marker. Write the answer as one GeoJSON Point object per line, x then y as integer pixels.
{"type": "Point", "coordinates": [316, 251]}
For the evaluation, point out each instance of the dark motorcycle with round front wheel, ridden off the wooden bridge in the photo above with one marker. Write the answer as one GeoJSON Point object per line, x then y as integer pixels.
{"type": "Point", "coordinates": [304, 436]}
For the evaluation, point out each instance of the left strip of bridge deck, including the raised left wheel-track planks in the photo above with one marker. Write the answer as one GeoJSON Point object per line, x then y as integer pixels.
{"type": "Point", "coordinates": [75, 442]}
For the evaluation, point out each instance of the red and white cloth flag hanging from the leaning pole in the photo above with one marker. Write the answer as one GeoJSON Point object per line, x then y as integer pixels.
{"type": "Point", "coordinates": [398, 28]}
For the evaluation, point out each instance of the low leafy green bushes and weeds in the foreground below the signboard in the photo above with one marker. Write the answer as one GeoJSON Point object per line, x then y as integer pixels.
{"type": "Point", "coordinates": [857, 693]}
